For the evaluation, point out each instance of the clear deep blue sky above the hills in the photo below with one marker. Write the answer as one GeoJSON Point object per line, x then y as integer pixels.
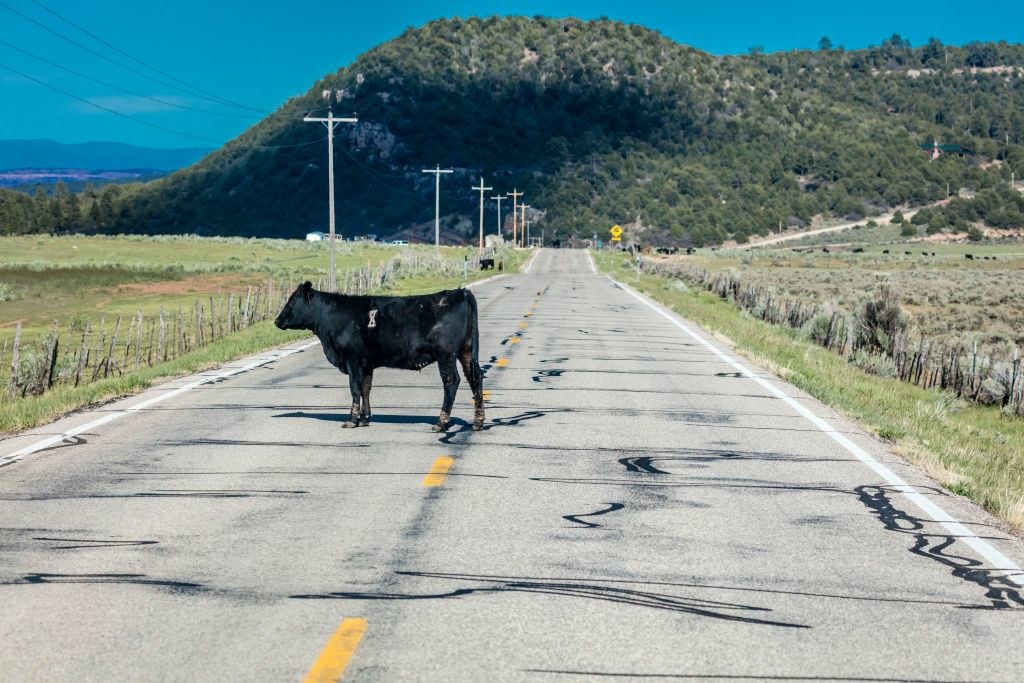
{"type": "Point", "coordinates": [259, 54]}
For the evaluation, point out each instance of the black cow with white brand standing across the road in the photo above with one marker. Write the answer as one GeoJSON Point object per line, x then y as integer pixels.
{"type": "Point", "coordinates": [362, 333]}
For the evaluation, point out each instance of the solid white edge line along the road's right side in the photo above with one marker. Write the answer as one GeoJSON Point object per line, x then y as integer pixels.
{"type": "Point", "coordinates": [999, 562]}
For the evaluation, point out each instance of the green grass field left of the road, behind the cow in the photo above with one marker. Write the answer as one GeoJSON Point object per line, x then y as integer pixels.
{"type": "Point", "coordinates": [64, 282]}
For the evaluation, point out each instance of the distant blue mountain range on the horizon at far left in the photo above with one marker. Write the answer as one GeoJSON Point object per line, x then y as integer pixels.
{"type": "Point", "coordinates": [25, 155]}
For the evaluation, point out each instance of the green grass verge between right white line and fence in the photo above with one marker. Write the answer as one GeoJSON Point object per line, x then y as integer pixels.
{"type": "Point", "coordinates": [970, 450]}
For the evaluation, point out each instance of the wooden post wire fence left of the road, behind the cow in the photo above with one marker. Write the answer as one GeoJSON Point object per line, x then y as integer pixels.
{"type": "Point", "coordinates": [87, 350]}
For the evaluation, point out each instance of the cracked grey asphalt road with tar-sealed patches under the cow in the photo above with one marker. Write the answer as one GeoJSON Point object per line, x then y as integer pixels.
{"type": "Point", "coordinates": [639, 507]}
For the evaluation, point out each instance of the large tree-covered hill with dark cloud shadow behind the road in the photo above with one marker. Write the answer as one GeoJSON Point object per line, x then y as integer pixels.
{"type": "Point", "coordinates": [599, 123]}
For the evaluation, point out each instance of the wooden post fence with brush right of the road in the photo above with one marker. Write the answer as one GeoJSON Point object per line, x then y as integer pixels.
{"type": "Point", "coordinates": [877, 338]}
